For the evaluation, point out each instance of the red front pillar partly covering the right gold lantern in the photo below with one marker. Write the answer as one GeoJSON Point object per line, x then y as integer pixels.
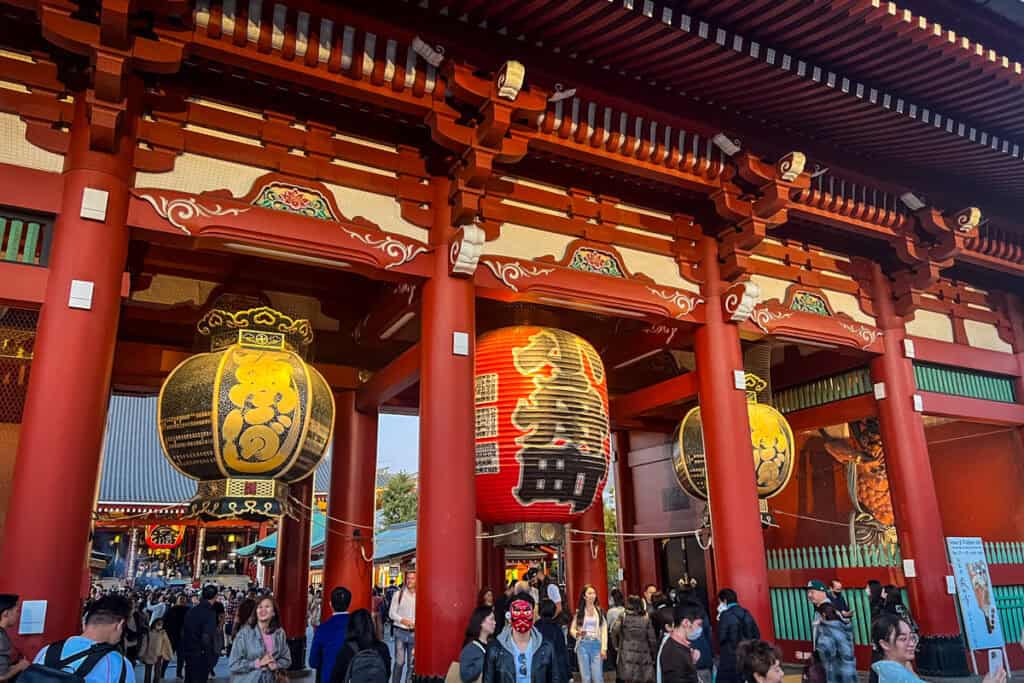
{"type": "Point", "coordinates": [740, 547]}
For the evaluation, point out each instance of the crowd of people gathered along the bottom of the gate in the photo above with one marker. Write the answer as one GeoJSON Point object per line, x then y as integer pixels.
{"type": "Point", "coordinates": [526, 634]}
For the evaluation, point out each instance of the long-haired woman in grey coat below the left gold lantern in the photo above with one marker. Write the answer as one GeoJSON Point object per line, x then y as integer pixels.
{"type": "Point", "coordinates": [261, 649]}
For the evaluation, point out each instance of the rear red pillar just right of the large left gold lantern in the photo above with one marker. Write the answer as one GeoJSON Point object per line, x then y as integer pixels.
{"type": "Point", "coordinates": [349, 559]}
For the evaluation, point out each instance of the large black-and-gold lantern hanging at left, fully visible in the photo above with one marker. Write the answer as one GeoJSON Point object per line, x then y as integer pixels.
{"type": "Point", "coordinates": [248, 418]}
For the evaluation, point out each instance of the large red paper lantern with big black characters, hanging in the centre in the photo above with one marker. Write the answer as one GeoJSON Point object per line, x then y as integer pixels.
{"type": "Point", "coordinates": [542, 425]}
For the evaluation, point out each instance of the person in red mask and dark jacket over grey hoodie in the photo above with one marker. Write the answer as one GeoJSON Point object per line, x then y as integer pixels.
{"type": "Point", "coordinates": [521, 655]}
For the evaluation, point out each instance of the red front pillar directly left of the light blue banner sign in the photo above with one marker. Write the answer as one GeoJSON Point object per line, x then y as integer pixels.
{"type": "Point", "coordinates": [915, 502]}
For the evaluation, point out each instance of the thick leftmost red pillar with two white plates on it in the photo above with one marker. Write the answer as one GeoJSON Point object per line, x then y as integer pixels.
{"type": "Point", "coordinates": [61, 439]}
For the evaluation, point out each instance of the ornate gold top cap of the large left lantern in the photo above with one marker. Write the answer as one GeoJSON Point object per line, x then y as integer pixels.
{"type": "Point", "coordinates": [262, 327]}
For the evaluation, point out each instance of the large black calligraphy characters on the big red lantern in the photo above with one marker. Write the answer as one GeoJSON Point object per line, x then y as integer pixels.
{"type": "Point", "coordinates": [565, 422]}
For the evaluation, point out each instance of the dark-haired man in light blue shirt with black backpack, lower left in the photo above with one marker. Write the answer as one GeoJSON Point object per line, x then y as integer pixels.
{"type": "Point", "coordinates": [92, 658]}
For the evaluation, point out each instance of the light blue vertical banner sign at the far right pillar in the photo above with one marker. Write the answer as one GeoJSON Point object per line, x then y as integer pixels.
{"type": "Point", "coordinates": [974, 590]}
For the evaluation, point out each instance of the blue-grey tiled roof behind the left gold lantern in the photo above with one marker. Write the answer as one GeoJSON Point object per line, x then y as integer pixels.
{"type": "Point", "coordinates": [135, 469]}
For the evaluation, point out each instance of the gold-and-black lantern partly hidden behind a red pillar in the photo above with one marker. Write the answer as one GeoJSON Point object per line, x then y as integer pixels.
{"type": "Point", "coordinates": [772, 439]}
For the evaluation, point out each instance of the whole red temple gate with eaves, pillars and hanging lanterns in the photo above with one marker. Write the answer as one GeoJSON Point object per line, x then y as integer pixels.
{"type": "Point", "coordinates": [761, 263]}
